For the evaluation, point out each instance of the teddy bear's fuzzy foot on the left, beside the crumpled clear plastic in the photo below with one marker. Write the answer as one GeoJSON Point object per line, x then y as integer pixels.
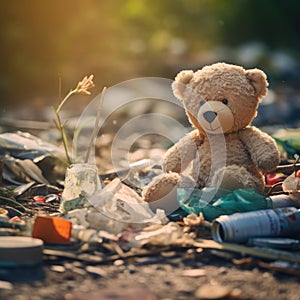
{"type": "Point", "coordinates": [162, 186]}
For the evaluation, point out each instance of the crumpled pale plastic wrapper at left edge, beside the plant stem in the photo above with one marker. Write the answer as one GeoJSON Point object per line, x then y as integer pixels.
{"type": "Point", "coordinates": [27, 158]}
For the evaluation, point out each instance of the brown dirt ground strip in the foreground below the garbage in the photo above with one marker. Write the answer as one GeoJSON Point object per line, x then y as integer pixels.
{"type": "Point", "coordinates": [161, 276]}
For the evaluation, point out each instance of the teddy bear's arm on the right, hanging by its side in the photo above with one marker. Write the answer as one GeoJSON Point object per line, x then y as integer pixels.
{"type": "Point", "coordinates": [262, 148]}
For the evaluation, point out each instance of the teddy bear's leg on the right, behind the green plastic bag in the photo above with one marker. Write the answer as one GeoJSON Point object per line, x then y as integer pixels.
{"type": "Point", "coordinates": [234, 177]}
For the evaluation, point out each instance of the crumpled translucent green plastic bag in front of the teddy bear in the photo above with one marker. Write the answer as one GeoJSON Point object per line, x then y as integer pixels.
{"type": "Point", "coordinates": [214, 202]}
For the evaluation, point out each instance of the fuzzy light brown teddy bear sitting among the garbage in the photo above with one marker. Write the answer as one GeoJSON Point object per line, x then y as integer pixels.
{"type": "Point", "coordinates": [223, 151]}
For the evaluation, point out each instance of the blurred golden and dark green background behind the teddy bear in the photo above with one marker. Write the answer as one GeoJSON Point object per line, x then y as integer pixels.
{"type": "Point", "coordinates": [42, 41]}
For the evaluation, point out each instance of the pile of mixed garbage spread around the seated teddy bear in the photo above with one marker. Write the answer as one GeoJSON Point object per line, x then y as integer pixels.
{"type": "Point", "coordinates": [99, 218]}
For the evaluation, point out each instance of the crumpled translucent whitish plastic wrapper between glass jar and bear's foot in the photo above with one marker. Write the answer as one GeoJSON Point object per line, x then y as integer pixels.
{"type": "Point", "coordinates": [116, 207]}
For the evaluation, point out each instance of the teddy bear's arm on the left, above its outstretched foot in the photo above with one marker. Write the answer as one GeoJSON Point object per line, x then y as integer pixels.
{"type": "Point", "coordinates": [182, 153]}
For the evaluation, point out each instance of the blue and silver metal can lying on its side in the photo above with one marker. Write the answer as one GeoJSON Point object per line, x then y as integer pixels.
{"type": "Point", "coordinates": [240, 227]}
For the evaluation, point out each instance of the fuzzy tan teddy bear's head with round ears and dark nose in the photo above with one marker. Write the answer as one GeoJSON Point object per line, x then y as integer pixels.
{"type": "Point", "coordinates": [220, 98]}
